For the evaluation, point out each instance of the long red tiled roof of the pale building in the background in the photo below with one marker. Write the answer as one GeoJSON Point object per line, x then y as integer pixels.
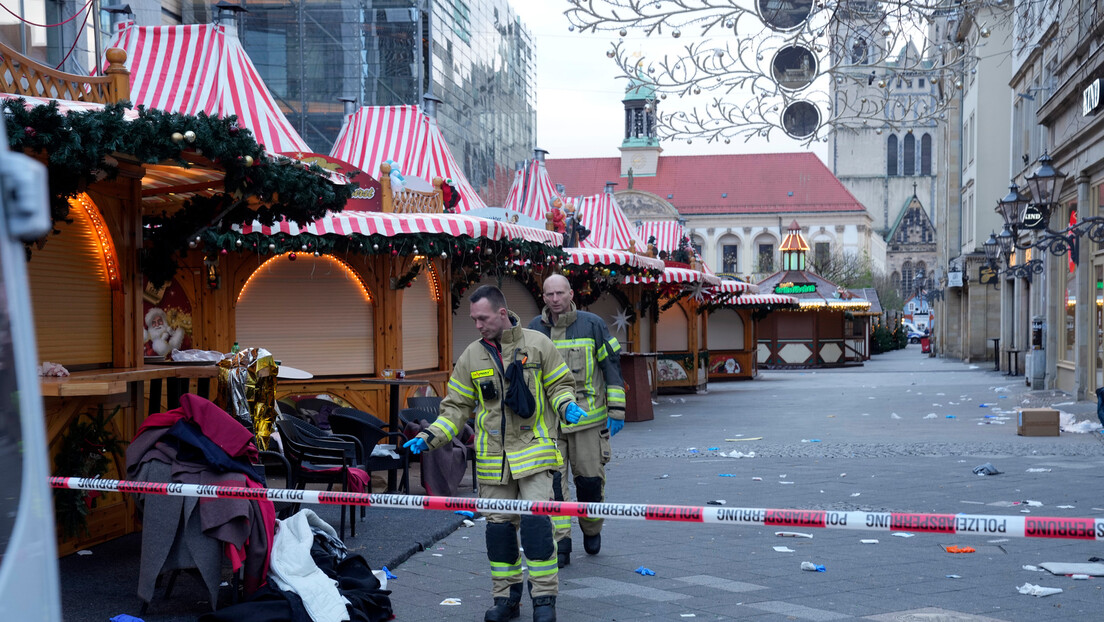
{"type": "Point", "coordinates": [755, 184]}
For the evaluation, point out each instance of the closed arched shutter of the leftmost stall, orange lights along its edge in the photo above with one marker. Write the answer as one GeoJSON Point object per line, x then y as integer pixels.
{"type": "Point", "coordinates": [71, 297]}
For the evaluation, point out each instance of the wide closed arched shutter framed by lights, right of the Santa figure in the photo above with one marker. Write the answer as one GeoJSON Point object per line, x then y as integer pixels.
{"type": "Point", "coordinates": [311, 314]}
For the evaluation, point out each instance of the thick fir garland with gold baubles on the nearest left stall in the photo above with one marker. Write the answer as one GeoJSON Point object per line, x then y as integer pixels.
{"type": "Point", "coordinates": [81, 147]}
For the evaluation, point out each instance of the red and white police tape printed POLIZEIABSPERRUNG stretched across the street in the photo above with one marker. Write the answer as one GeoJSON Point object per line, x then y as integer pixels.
{"type": "Point", "coordinates": [1009, 526]}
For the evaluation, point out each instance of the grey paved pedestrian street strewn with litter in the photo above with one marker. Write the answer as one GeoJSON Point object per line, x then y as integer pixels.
{"type": "Point", "coordinates": [901, 435]}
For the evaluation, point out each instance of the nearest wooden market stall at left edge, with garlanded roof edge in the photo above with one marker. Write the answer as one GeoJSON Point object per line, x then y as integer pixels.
{"type": "Point", "coordinates": [87, 278]}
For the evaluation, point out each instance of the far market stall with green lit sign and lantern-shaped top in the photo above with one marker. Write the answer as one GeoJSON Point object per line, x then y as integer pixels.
{"type": "Point", "coordinates": [830, 329]}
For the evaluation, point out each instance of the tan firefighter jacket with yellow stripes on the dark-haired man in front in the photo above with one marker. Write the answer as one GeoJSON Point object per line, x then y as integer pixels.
{"type": "Point", "coordinates": [504, 438]}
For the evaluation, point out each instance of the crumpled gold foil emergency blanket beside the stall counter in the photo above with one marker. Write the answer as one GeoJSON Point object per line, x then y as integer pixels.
{"type": "Point", "coordinates": [248, 392]}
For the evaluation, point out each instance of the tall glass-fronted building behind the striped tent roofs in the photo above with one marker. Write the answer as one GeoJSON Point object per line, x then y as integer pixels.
{"type": "Point", "coordinates": [477, 54]}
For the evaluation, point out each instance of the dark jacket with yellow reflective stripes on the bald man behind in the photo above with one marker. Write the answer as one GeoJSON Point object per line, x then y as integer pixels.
{"type": "Point", "coordinates": [595, 359]}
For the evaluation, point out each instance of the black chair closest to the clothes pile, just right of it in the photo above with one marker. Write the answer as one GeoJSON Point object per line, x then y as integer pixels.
{"type": "Point", "coordinates": [319, 461]}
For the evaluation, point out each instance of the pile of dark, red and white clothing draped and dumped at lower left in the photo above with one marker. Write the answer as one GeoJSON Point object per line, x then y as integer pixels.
{"type": "Point", "coordinates": [295, 571]}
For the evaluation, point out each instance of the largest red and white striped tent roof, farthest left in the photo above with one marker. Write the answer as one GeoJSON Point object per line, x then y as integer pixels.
{"type": "Point", "coordinates": [204, 69]}
